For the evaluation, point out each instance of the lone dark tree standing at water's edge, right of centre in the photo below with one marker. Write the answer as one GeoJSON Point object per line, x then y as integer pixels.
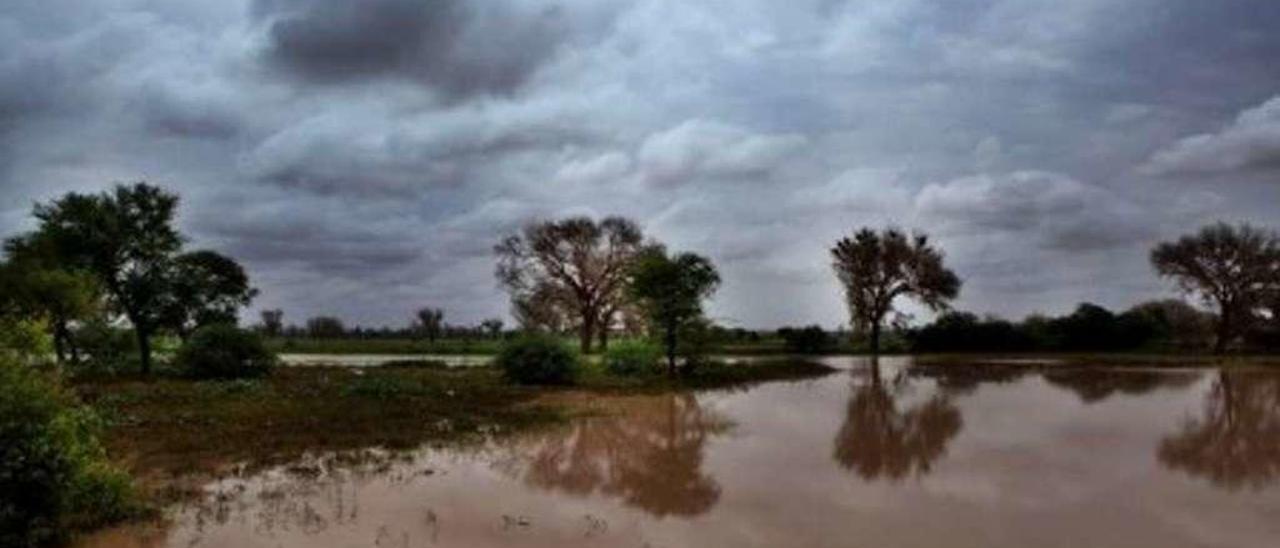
{"type": "Point", "coordinates": [877, 268]}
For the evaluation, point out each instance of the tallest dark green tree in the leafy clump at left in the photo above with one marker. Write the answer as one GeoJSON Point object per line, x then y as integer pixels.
{"type": "Point", "coordinates": [126, 239]}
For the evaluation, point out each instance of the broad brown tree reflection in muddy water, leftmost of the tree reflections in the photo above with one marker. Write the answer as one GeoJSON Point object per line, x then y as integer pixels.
{"type": "Point", "coordinates": [650, 454]}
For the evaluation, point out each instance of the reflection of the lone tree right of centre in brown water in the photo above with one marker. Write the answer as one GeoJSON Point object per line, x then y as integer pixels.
{"type": "Point", "coordinates": [879, 440]}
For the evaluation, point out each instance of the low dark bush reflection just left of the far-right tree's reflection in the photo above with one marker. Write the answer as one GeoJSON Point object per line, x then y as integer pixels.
{"type": "Point", "coordinates": [1095, 385]}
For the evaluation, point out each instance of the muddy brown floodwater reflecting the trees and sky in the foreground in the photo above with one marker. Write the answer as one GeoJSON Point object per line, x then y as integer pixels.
{"type": "Point", "coordinates": [899, 455]}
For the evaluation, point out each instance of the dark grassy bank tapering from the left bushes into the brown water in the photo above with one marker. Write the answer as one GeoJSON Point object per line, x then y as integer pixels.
{"type": "Point", "coordinates": [172, 433]}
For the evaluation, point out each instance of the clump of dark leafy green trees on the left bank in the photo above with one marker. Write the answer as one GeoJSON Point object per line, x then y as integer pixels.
{"type": "Point", "coordinates": [124, 243]}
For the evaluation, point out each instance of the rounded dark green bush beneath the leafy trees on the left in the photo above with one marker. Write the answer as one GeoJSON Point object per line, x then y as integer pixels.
{"type": "Point", "coordinates": [226, 353]}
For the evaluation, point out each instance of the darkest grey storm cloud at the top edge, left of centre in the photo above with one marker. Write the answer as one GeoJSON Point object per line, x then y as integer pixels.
{"type": "Point", "coordinates": [460, 48]}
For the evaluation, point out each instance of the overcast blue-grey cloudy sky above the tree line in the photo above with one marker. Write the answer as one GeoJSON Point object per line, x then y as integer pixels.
{"type": "Point", "coordinates": [362, 159]}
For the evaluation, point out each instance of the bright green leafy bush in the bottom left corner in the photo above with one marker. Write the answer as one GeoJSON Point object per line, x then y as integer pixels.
{"type": "Point", "coordinates": [54, 476]}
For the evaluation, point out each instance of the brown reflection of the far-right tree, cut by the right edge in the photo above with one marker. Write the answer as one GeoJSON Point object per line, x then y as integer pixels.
{"type": "Point", "coordinates": [1236, 442]}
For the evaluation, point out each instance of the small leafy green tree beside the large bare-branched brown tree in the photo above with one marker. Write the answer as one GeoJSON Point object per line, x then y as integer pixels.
{"type": "Point", "coordinates": [671, 291]}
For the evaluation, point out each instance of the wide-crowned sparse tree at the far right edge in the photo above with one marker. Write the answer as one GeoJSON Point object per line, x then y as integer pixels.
{"type": "Point", "coordinates": [1232, 268]}
